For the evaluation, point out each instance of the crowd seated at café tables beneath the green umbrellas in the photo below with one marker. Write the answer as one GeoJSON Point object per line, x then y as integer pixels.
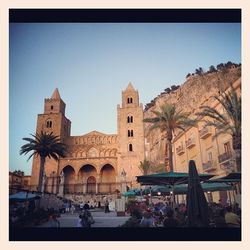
{"type": "Point", "coordinates": [164, 214]}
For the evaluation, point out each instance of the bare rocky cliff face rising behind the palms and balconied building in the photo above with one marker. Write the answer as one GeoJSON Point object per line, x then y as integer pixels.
{"type": "Point", "coordinates": [194, 92]}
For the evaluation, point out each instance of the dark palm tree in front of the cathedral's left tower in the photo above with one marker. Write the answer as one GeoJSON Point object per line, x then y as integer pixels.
{"type": "Point", "coordinates": [43, 145]}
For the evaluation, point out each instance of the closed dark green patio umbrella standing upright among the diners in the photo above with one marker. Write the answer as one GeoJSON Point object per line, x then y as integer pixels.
{"type": "Point", "coordinates": [197, 207]}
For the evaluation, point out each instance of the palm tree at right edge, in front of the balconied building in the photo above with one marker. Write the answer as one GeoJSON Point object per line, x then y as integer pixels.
{"type": "Point", "coordinates": [228, 122]}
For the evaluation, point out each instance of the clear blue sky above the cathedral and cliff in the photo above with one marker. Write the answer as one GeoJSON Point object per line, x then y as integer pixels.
{"type": "Point", "coordinates": [91, 64]}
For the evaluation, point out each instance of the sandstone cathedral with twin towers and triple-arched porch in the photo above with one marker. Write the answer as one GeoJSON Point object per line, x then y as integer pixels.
{"type": "Point", "coordinates": [95, 163]}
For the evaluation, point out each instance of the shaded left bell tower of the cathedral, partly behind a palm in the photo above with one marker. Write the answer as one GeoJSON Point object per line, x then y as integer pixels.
{"type": "Point", "coordinates": [53, 120]}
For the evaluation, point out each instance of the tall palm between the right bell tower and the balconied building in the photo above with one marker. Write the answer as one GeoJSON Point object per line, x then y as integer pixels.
{"type": "Point", "coordinates": [168, 120]}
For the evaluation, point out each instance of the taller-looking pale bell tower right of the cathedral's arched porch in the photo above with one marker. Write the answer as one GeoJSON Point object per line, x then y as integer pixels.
{"type": "Point", "coordinates": [130, 134]}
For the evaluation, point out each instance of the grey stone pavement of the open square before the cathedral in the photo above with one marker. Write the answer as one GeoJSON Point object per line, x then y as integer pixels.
{"type": "Point", "coordinates": [101, 219]}
